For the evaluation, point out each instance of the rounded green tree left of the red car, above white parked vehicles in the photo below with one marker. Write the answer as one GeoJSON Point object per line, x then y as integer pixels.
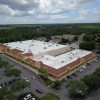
{"type": "Point", "coordinates": [20, 85]}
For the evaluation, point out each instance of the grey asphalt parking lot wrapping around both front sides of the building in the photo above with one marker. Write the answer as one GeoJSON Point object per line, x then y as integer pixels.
{"type": "Point", "coordinates": [36, 83]}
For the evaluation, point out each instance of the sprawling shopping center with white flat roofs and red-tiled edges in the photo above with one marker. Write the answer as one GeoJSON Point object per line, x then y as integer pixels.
{"type": "Point", "coordinates": [57, 59]}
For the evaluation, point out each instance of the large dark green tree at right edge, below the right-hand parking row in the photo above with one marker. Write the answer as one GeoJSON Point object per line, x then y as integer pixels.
{"type": "Point", "coordinates": [92, 81]}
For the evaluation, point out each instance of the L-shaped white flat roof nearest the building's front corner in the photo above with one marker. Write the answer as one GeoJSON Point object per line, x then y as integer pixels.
{"type": "Point", "coordinates": [63, 59]}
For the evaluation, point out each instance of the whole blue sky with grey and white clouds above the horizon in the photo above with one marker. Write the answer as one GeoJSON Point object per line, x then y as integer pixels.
{"type": "Point", "coordinates": [49, 11]}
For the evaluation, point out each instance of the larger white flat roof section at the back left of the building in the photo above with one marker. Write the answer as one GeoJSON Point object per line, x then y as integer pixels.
{"type": "Point", "coordinates": [34, 46]}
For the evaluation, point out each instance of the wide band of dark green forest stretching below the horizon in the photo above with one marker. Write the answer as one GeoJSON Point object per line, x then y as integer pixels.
{"type": "Point", "coordinates": [23, 32]}
